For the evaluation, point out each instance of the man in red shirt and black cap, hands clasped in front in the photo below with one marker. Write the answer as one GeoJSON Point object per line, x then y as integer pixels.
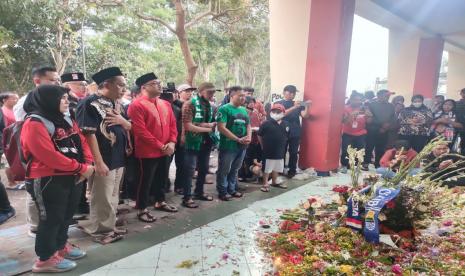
{"type": "Point", "coordinates": [155, 133]}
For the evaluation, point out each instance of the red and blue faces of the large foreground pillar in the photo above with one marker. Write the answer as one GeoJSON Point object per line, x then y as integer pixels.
{"type": "Point", "coordinates": [328, 52]}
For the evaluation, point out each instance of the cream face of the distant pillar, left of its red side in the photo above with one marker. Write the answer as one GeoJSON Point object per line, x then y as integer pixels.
{"type": "Point", "coordinates": [402, 62]}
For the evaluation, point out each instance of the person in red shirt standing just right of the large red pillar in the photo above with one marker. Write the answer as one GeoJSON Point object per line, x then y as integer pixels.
{"type": "Point", "coordinates": [353, 127]}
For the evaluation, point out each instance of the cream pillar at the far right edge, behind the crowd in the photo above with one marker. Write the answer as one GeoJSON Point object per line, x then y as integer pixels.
{"type": "Point", "coordinates": [455, 75]}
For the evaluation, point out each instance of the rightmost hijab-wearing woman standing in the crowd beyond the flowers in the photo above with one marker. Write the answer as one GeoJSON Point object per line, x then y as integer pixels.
{"type": "Point", "coordinates": [445, 122]}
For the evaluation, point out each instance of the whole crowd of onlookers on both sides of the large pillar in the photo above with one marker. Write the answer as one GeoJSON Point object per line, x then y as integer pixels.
{"type": "Point", "coordinates": [82, 148]}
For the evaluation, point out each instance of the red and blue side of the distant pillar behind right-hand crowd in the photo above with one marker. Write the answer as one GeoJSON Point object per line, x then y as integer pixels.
{"type": "Point", "coordinates": [428, 66]}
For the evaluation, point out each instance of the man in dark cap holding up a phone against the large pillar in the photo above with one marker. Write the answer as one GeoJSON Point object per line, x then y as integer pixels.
{"type": "Point", "coordinates": [294, 110]}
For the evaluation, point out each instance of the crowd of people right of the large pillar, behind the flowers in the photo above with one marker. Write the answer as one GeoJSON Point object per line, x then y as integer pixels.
{"type": "Point", "coordinates": [395, 134]}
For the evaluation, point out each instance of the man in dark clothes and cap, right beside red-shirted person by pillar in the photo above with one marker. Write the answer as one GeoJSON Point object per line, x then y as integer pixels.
{"type": "Point", "coordinates": [383, 121]}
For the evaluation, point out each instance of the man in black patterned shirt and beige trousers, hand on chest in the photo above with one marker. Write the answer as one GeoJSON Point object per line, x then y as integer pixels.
{"type": "Point", "coordinates": [100, 118]}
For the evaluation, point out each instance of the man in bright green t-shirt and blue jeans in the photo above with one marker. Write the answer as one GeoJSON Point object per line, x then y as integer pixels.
{"type": "Point", "coordinates": [235, 135]}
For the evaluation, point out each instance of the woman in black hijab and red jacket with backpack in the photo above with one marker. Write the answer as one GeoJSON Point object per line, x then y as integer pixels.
{"type": "Point", "coordinates": [58, 159]}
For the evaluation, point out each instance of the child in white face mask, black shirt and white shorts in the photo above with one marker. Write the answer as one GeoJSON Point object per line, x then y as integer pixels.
{"type": "Point", "coordinates": [273, 136]}
